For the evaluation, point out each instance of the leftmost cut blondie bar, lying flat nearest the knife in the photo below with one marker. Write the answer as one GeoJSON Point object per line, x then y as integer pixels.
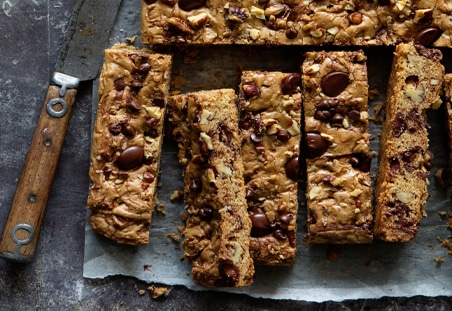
{"type": "Point", "coordinates": [126, 143]}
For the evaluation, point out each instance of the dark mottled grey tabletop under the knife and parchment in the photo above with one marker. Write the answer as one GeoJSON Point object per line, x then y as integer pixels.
{"type": "Point", "coordinates": [31, 38]}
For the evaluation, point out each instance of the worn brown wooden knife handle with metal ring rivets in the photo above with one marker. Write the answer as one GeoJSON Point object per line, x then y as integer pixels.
{"type": "Point", "coordinates": [23, 225]}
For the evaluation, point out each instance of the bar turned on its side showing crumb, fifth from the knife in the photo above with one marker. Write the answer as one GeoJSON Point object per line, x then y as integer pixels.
{"type": "Point", "coordinates": [404, 161]}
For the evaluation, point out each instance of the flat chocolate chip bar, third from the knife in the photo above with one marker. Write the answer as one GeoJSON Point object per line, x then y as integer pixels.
{"type": "Point", "coordinates": [270, 105]}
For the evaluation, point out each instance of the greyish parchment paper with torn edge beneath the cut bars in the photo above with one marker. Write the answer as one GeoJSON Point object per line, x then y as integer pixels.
{"type": "Point", "coordinates": [360, 271]}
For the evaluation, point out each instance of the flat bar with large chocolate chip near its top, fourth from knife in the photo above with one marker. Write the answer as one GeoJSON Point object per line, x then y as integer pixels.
{"type": "Point", "coordinates": [337, 147]}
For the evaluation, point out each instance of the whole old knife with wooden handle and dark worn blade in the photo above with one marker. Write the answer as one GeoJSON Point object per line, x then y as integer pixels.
{"type": "Point", "coordinates": [79, 60]}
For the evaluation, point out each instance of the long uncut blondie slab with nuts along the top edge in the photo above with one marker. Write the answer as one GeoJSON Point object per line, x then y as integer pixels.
{"type": "Point", "coordinates": [289, 22]}
